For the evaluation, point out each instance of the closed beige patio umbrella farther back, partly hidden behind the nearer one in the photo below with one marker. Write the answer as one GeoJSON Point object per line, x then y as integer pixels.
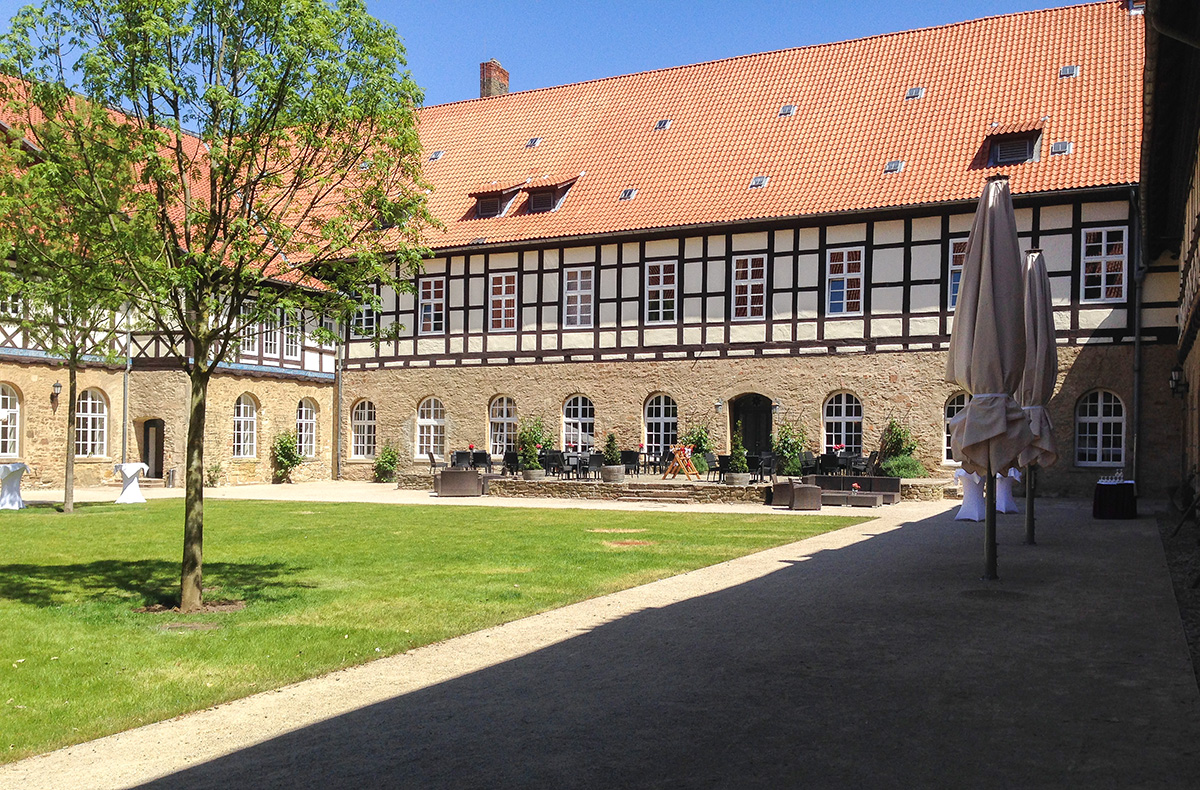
{"type": "Point", "coordinates": [1039, 381]}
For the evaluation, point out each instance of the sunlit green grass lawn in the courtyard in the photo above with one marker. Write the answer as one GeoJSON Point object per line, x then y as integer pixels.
{"type": "Point", "coordinates": [326, 586]}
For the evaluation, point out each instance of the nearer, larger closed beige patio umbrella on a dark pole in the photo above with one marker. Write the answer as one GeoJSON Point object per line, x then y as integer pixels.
{"type": "Point", "coordinates": [987, 356]}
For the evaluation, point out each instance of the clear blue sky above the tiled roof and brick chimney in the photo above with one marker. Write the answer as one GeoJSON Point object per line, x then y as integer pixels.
{"type": "Point", "coordinates": [551, 44]}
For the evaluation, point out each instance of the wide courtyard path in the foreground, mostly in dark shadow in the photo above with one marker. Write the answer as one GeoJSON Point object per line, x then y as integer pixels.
{"type": "Point", "coordinates": [868, 657]}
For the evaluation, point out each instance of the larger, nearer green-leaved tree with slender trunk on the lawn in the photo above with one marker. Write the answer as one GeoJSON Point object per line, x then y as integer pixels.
{"type": "Point", "coordinates": [278, 159]}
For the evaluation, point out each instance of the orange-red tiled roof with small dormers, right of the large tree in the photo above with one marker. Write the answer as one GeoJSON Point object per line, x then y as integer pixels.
{"type": "Point", "coordinates": [851, 119]}
